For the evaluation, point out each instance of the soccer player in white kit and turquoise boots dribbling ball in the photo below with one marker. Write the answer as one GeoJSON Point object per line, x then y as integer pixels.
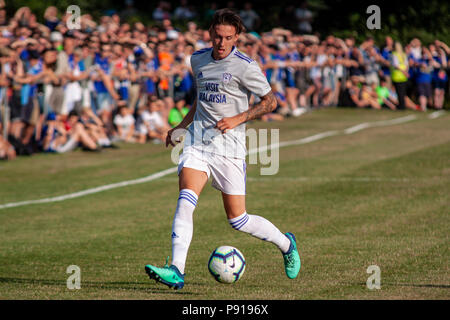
{"type": "Point", "coordinates": [215, 146]}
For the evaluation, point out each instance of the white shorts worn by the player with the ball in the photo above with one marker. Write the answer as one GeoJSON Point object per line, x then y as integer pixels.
{"type": "Point", "coordinates": [228, 174]}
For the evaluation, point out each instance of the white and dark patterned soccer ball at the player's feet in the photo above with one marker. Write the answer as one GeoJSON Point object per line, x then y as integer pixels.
{"type": "Point", "coordinates": [226, 264]}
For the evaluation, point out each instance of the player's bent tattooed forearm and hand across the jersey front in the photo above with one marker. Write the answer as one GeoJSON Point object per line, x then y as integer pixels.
{"type": "Point", "coordinates": [267, 104]}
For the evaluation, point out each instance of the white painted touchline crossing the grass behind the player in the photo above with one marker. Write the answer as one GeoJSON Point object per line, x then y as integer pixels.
{"type": "Point", "coordinates": [163, 173]}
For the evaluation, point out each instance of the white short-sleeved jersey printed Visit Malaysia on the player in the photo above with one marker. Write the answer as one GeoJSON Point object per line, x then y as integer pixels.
{"type": "Point", "coordinates": [223, 90]}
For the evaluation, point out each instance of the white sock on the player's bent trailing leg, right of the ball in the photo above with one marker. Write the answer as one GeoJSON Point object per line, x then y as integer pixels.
{"type": "Point", "coordinates": [261, 228]}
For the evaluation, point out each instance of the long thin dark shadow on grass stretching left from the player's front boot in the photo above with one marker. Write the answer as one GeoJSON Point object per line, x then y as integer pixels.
{"type": "Point", "coordinates": [146, 287]}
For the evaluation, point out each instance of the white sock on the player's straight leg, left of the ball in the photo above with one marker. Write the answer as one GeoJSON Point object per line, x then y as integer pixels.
{"type": "Point", "coordinates": [183, 227]}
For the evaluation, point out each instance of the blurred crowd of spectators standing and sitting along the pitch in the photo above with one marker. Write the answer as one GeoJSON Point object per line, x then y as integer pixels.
{"type": "Point", "coordinates": [110, 81]}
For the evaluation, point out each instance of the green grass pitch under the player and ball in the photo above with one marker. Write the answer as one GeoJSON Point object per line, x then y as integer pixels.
{"type": "Point", "coordinates": [379, 196]}
